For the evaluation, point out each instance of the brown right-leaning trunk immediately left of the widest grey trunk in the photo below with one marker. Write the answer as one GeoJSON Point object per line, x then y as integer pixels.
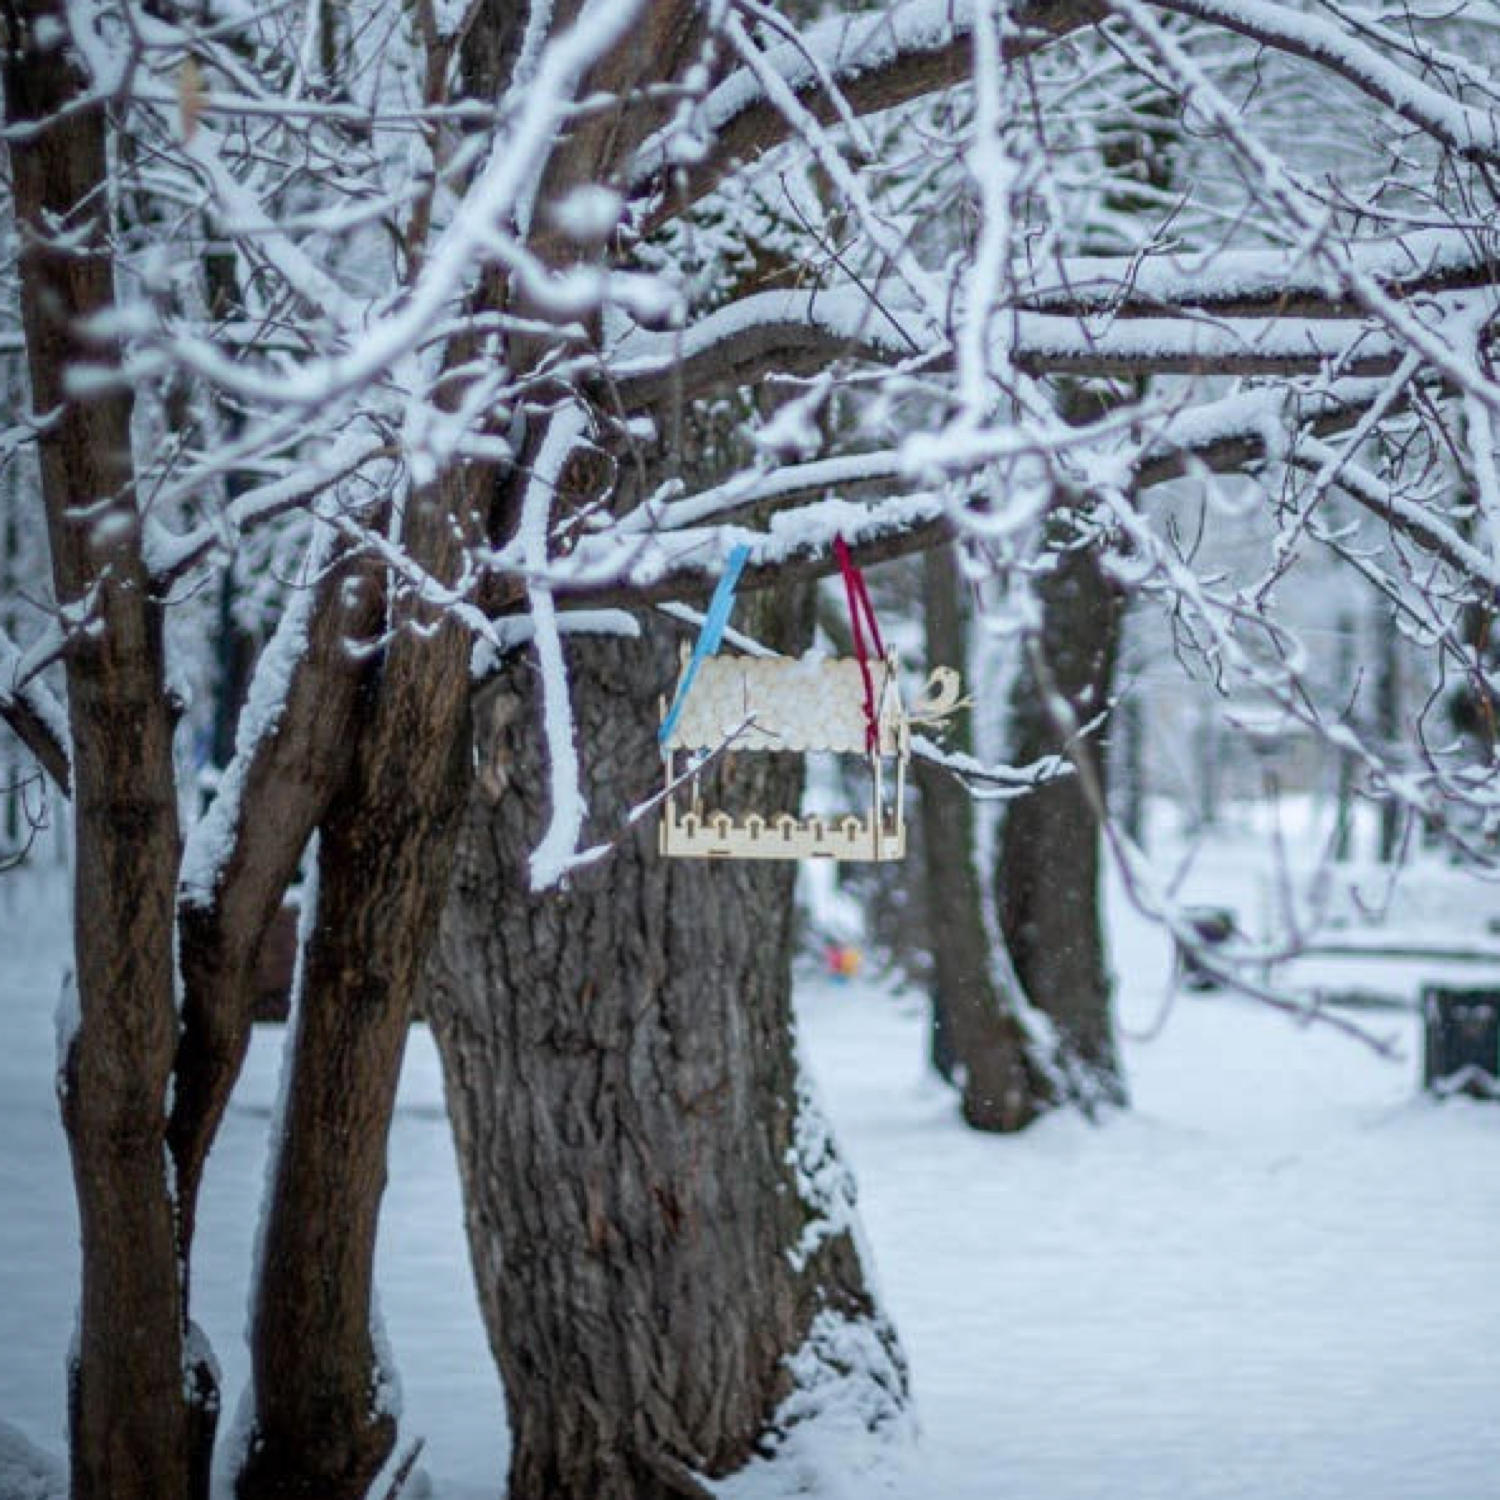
{"type": "Point", "coordinates": [322, 1429]}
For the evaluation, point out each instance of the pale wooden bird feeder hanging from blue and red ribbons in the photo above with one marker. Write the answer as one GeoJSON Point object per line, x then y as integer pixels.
{"type": "Point", "coordinates": [800, 706]}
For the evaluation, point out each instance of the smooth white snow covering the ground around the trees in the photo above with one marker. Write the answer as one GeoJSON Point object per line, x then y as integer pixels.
{"type": "Point", "coordinates": [1277, 1279]}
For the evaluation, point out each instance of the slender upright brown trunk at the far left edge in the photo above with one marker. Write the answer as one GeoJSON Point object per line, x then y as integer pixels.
{"type": "Point", "coordinates": [130, 1415]}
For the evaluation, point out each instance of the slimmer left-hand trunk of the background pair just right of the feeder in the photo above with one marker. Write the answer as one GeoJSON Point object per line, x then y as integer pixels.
{"type": "Point", "coordinates": [988, 1045]}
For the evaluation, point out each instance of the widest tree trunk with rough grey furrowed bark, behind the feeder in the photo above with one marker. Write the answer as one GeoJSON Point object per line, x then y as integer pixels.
{"type": "Point", "coordinates": [656, 1213]}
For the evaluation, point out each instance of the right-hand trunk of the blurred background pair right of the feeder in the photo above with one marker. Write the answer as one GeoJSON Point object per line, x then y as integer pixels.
{"type": "Point", "coordinates": [1048, 869]}
